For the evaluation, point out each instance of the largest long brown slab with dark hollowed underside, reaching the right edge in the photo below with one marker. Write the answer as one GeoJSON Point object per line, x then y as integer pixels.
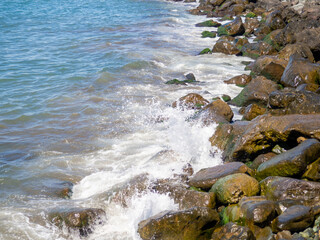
{"type": "Point", "coordinates": [264, 132]}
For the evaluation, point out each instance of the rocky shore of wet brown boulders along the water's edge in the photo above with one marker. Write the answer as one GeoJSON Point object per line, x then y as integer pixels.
{"type": "Point", "coordinates": [269, 184]}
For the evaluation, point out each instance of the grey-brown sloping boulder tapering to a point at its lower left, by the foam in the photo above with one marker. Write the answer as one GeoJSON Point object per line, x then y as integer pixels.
{"type": "Point", "coordinates": [257, 91]}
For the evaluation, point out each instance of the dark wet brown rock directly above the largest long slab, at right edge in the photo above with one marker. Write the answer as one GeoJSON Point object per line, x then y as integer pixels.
{"type": "Point", "coordinates": [290, 101]}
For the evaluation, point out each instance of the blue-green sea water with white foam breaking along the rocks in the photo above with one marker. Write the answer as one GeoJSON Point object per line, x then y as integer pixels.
{"type": "Point", "coordinates": [84, 105]}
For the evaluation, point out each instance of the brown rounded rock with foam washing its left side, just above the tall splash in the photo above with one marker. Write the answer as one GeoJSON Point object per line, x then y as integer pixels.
{"type": "Point", "coordinates": [216, 112]}
